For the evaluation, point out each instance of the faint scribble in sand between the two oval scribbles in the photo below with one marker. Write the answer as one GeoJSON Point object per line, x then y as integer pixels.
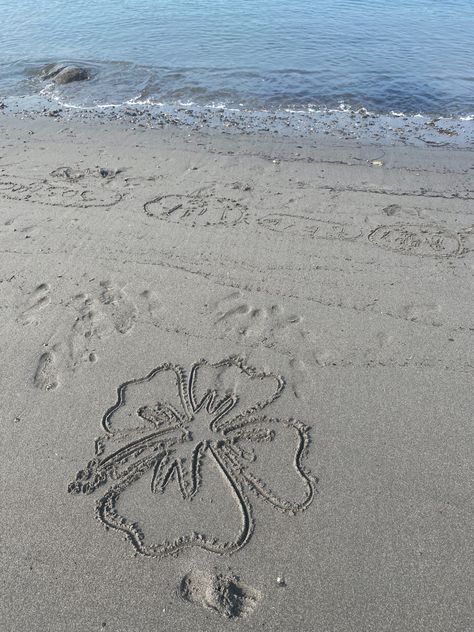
{"type": "Point", "coordinates": [308, 227]}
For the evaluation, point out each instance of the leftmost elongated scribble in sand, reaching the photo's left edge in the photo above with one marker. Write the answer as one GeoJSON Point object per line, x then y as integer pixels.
{"type": "Point", "coordinates": [70, 194]}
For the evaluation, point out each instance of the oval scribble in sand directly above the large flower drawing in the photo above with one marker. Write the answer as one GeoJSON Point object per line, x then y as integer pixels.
{"type": "Point", "coordinates": [197, 210]}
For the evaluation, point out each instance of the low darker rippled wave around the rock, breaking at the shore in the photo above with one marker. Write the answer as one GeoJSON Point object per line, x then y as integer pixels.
{"type": "Point", "coordinates": [251, 88]}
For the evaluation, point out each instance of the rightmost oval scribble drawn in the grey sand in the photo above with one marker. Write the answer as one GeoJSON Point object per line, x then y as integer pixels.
{"type": "Point", "coordinates": [419, 240]}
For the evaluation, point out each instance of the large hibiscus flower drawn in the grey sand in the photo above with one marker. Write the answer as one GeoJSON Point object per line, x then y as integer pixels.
{"type": "Point", "coordinates": [167, 430]}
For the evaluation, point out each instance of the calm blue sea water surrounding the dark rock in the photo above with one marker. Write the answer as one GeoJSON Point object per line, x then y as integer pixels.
{"type": "Point", "coordinates": [412, 56]}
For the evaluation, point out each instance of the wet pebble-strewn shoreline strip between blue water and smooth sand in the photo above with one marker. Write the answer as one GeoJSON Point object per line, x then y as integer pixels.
{"type": "Point", "coordinates": [344, 125]}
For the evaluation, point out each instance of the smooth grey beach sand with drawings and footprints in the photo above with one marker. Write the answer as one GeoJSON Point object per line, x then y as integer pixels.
{"type": "Point", "coordinates": [308, 306]}
